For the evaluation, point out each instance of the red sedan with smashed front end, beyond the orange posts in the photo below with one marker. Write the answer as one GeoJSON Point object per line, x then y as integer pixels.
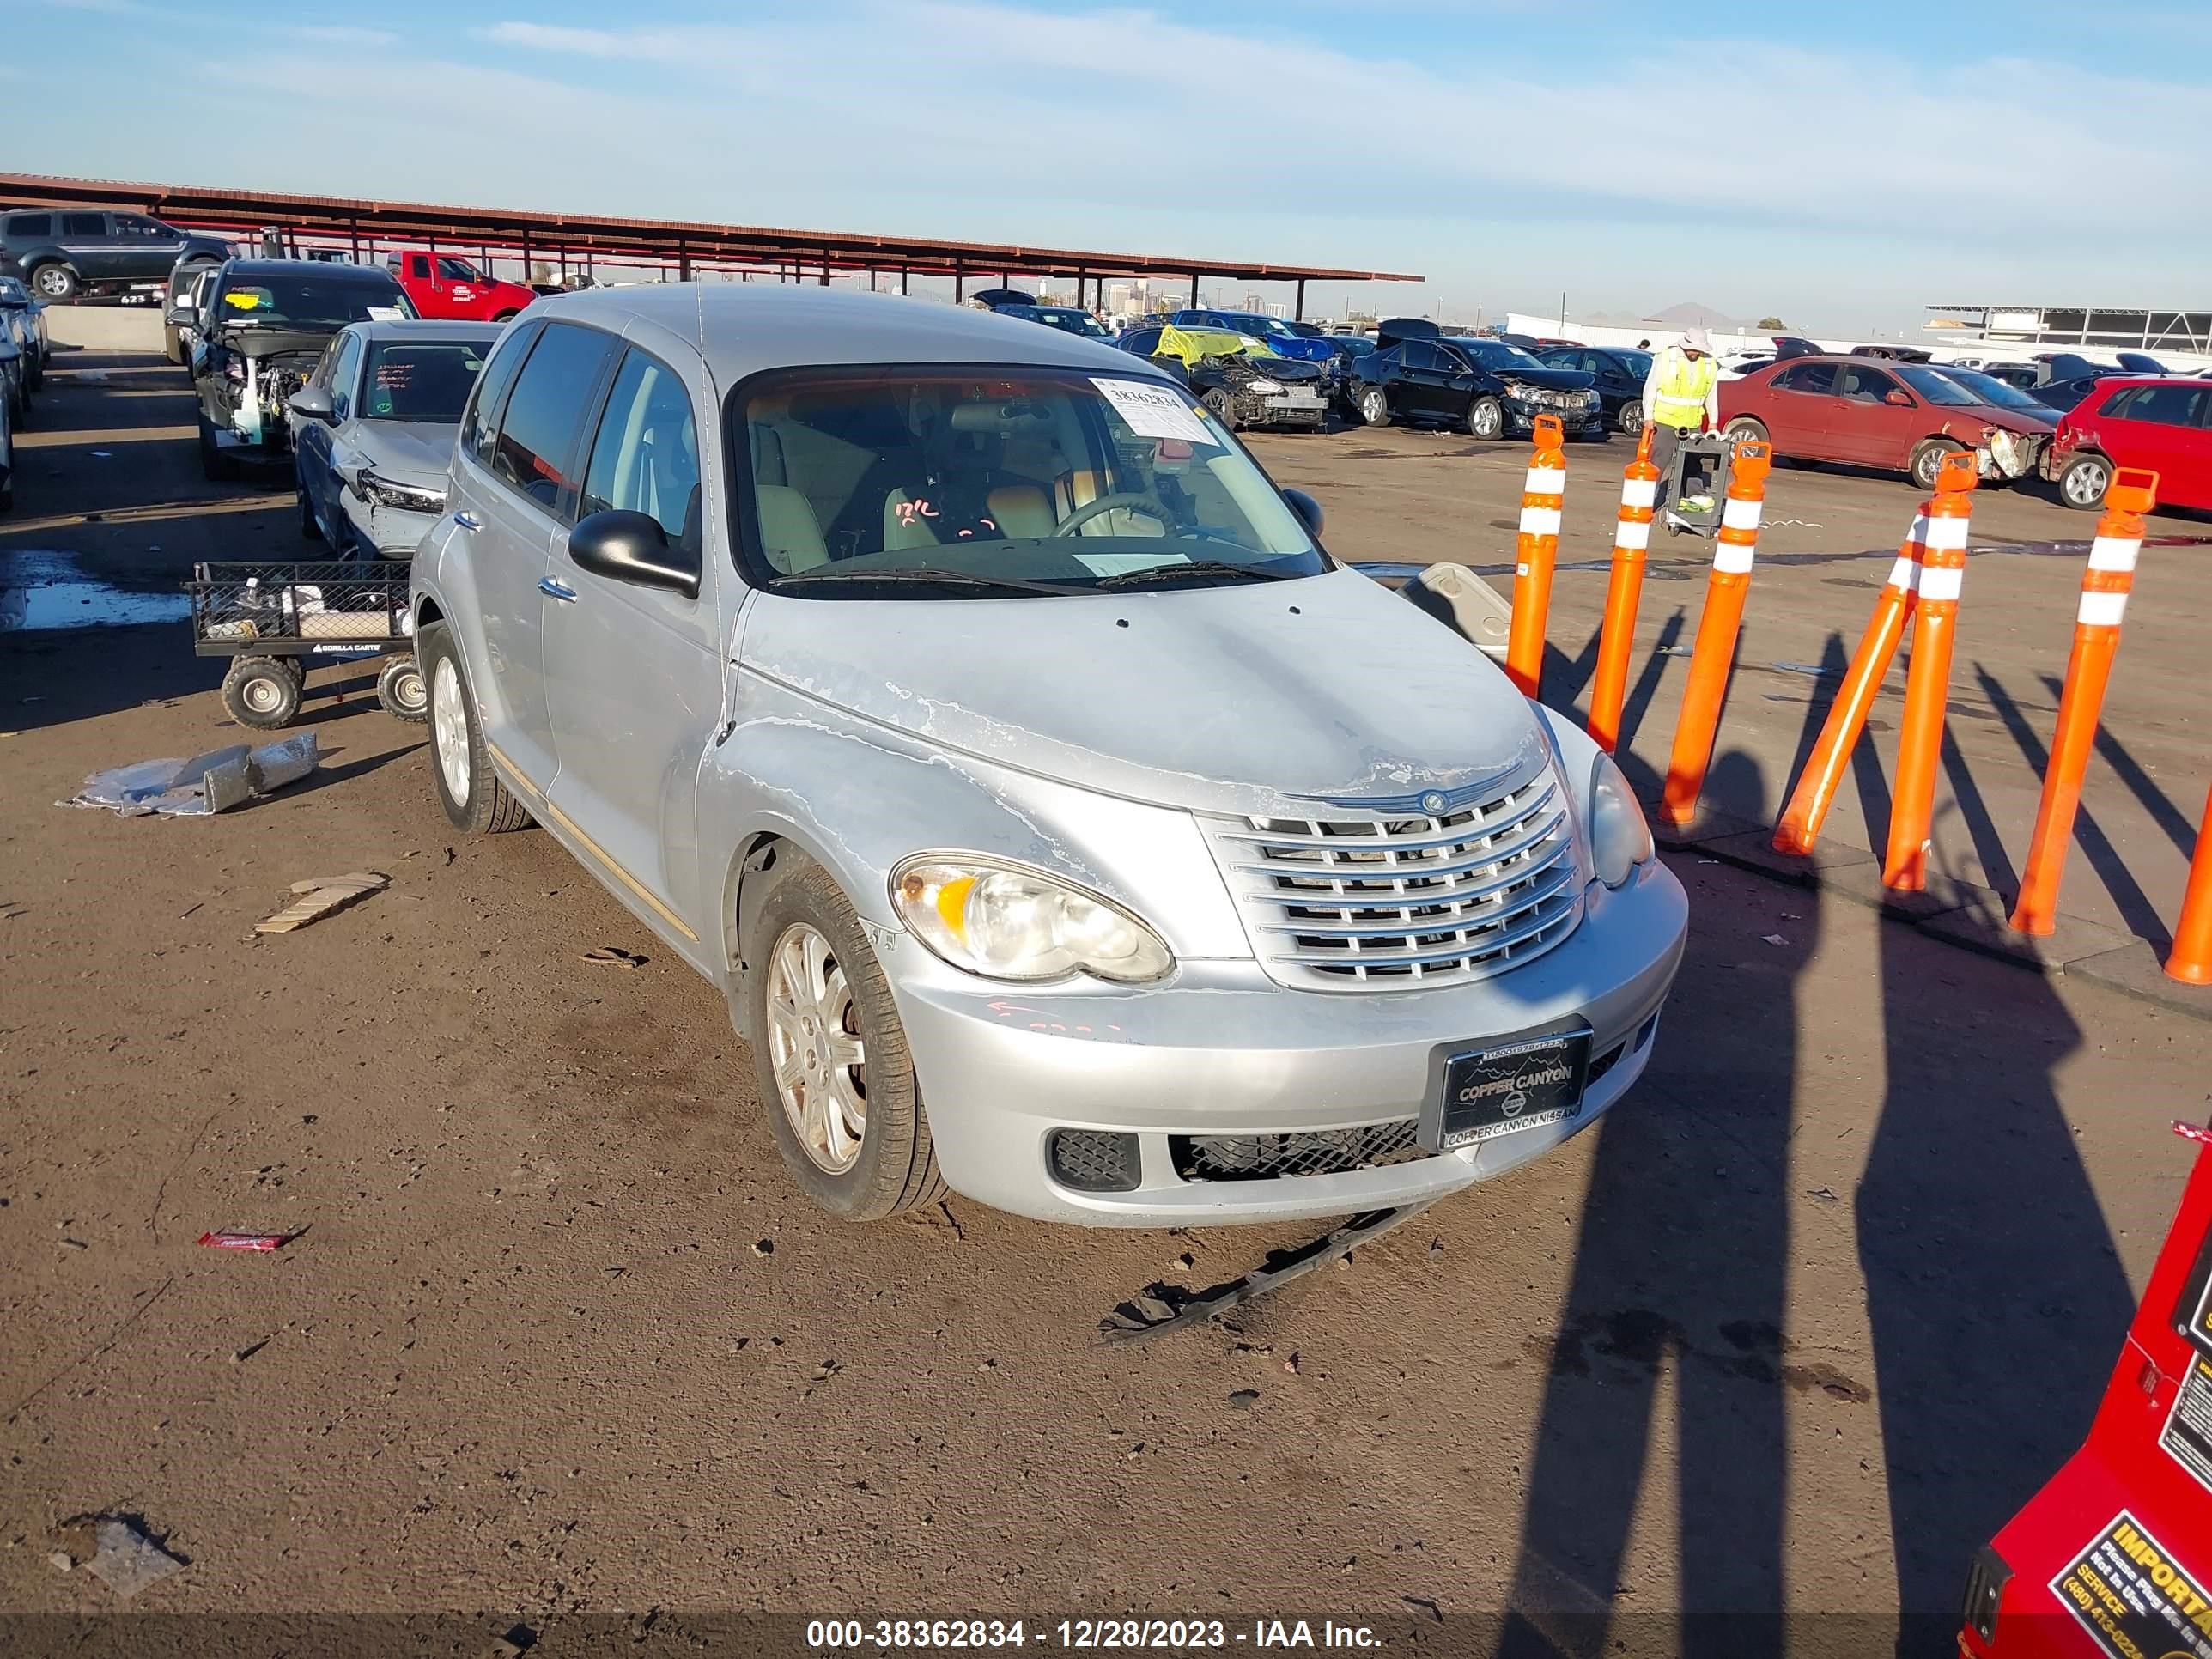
{"type": "Point", "coordinates": [1872, 413]}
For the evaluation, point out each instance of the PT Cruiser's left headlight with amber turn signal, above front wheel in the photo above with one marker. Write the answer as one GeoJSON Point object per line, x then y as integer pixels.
{"type": "Point", "coordinates": [1016, 924]}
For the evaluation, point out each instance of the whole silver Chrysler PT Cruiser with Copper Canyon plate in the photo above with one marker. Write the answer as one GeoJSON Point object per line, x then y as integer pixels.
{"type": "Point", "coordinates": [1063, 824]}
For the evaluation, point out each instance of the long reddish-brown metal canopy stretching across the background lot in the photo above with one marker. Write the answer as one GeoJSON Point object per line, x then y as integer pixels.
{"type": "Point", "coordinates": [674, 247]}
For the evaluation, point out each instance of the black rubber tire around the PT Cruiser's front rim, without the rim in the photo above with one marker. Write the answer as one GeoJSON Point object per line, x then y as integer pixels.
{"type": "Point", "coordinates": [895, 1167]}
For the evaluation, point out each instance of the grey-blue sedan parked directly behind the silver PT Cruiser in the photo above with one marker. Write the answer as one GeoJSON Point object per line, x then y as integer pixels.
{"type": "Point", "coordinates": [373, 432]}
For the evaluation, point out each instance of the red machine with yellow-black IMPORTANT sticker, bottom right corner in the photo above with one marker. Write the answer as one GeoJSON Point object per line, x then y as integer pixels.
{"type": "Point", "coordinates": [2114, 1558]}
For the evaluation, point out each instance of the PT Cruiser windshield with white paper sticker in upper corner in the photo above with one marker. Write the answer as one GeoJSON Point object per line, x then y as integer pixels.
{"type": "Point", "coordinates": [939, 483]}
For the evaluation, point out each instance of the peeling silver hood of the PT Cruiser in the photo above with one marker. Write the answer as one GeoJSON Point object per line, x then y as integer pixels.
{"type": "Point", "coordinates": [1242, 700]}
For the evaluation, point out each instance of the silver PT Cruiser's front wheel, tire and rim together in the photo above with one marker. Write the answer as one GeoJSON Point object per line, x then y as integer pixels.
{"type": "Point", "coordinates": [831, 1054]}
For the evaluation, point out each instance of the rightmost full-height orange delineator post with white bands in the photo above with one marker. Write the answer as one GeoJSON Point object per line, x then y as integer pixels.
{"type": "Point", "coordinates": [2089, 669]}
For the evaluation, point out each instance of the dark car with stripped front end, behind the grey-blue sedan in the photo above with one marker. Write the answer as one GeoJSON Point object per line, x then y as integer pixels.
{"type": "Point", "coordinates": [260, 335]}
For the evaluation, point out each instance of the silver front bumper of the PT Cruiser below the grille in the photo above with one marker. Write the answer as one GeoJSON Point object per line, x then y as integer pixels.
{"type": "Point", "coordinates": [1224, 1052]}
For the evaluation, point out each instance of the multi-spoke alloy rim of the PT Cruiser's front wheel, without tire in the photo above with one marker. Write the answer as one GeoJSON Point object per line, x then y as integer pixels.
{"type": "Point", "coordinates": [817, 1050]}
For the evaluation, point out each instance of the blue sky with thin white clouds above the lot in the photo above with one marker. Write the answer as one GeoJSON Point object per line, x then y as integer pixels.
{"type": "Point", "coordinates": [1839, 165]}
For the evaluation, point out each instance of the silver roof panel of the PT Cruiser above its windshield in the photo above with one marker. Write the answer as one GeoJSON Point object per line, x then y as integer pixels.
{"type": "Point", "coordinates": [744, 328]}
